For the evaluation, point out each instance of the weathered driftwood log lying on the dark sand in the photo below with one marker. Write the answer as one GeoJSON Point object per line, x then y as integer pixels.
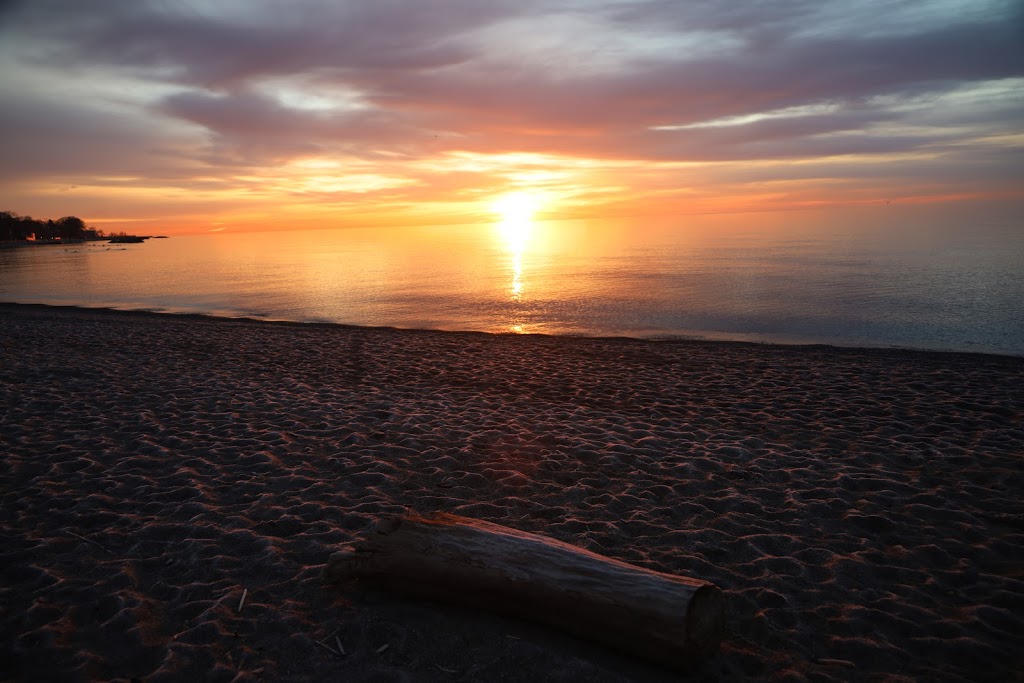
{"type": "Point", "coordinates": [671, 620]}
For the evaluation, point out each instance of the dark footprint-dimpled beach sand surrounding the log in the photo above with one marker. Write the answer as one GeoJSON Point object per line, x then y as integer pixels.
{"type": "Point", "coordinates": [864, 510]}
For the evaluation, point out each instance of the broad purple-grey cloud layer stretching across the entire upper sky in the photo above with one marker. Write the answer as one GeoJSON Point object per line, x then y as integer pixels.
{"type": "Point", "coordinates": [416, 65]}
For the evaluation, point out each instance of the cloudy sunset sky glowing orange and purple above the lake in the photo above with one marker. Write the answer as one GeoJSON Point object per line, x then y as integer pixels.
{"type": "Point", "coordinates": [195, 116]}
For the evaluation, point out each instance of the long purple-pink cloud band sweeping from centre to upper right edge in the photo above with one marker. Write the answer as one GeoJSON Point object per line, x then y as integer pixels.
{"type": "Point", "coordinates": [684, 92]}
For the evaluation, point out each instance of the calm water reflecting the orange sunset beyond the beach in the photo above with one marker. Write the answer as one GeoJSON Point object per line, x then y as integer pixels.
{"type": "Point", "coordinates": [938, 279]}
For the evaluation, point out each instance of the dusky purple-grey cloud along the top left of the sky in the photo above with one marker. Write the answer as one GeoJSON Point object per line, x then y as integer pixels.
{"type": "Point", "coordinates": [235, 42]}
